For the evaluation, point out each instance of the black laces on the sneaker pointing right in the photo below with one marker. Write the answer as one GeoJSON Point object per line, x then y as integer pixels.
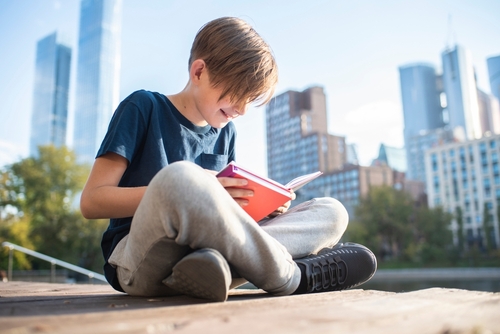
{"type": "Point", "coordinates": [328, 275]}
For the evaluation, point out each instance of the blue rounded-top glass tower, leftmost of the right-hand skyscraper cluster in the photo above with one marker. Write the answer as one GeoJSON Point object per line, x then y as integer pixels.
{"type": "Point", "coordinates": [423, 112]}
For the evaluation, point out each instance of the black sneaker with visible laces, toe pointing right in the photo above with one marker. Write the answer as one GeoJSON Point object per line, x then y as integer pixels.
{"type": "Point", "coordinates": [342, 267]}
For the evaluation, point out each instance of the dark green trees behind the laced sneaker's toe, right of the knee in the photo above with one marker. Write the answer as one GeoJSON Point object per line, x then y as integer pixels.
{"type": "Point", "coordinates": [389, 223]}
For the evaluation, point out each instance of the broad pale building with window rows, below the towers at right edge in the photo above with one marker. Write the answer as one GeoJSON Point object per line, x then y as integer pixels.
{"type": "Point", "coordinates": [466, 175]}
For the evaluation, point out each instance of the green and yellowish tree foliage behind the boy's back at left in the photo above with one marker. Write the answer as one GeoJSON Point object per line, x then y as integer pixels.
{"type": "Point", "coordinates": [37, 206]}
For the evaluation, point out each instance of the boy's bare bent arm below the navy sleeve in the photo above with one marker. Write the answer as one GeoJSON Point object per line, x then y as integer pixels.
{"type": "Point", "coordinates": [101, 196]}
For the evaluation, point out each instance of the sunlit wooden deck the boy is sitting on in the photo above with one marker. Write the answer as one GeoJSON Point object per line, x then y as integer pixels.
{"type": "Point", "coordinates": [27, 307]}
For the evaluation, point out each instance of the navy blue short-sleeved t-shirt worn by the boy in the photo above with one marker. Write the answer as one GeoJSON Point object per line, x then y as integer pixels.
{"type": "Point", "coordinates": [150, 133]}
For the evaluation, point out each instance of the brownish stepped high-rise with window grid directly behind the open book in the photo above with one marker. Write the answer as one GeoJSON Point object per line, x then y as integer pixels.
{"type": "Point", "coordinates": [298, 141]}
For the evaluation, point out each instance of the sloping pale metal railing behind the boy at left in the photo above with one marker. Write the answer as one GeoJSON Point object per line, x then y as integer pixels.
{"type": "Point", "coordinates": [53, 262]}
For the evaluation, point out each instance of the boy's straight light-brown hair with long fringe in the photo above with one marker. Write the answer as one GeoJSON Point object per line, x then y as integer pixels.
{"type": "Point", "coordinates": [238, 60]}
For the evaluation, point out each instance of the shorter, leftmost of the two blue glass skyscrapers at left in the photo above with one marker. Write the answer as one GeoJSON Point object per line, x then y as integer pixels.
{"type": "Point", "coordinates": [50, 99]}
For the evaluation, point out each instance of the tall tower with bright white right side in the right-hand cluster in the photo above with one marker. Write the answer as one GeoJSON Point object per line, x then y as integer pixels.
{"type": "Point", "coordinates": [461, 91]}
